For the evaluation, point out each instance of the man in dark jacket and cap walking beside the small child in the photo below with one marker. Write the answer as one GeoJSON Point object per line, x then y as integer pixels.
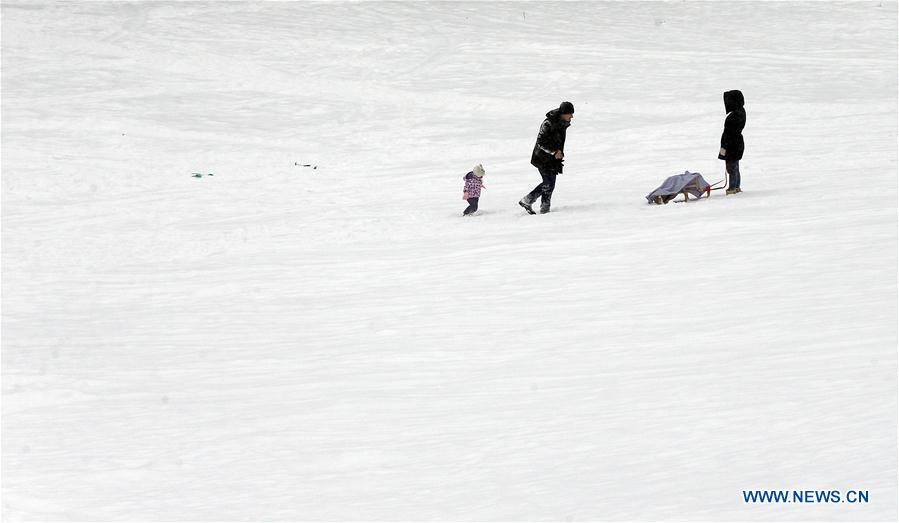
{"type": "Point", "coordinates": [548, 155]}
